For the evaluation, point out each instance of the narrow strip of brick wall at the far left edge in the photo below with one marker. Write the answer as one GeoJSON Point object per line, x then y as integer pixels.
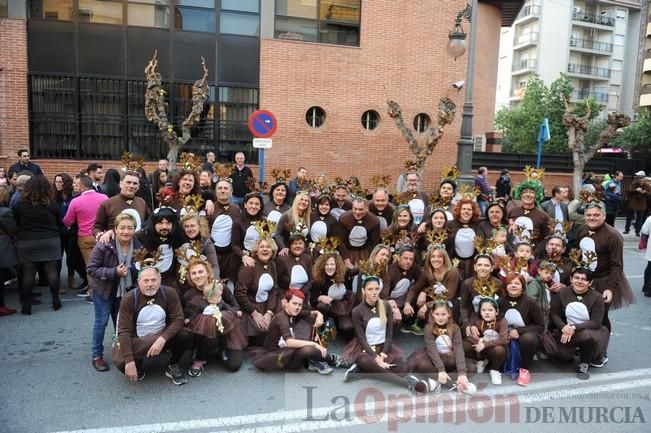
{"type": "Point", "coordinates": [14, 126]}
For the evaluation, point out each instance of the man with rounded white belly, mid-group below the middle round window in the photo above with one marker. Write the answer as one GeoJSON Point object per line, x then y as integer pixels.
{"type": "Point", "coordinates": [359, 231]}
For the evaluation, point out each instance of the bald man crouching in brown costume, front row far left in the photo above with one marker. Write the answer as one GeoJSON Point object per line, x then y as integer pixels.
{"type": "Point", "coordinates": [150, 320]}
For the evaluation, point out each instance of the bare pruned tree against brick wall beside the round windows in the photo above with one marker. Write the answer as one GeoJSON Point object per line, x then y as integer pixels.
{"type": "Point", "coordinates": [445, 116]}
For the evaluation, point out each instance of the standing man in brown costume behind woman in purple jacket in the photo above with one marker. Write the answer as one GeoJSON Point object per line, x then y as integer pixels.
{"type": "Point", "coordinates": [125, 200]}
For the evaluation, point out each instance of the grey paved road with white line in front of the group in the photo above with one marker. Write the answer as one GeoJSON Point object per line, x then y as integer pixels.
{"type": "Point", "coordinates": [48, 385]}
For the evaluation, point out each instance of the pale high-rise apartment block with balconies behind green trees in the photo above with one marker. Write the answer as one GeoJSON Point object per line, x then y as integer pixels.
{"type": "Point", "coordinates": [594, 42]}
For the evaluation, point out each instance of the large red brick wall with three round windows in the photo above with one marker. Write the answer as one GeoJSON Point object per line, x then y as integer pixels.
{"type": "Point", "coordinates": [402, 56]}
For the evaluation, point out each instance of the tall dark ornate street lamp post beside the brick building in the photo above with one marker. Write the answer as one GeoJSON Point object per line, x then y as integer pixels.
{"type": "Point", "coordinates": [456, 48]}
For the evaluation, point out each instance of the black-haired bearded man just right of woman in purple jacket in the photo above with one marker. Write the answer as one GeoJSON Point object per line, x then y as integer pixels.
{"type": "Point", "coordinates": [161, 233]}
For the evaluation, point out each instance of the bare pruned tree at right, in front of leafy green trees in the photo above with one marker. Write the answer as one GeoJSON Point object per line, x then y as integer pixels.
{"type": "Point", "coordinates": [576, 128]}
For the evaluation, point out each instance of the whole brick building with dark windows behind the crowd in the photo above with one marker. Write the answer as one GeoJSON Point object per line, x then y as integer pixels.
{"type": "Point", "coordinates": [72, 87]}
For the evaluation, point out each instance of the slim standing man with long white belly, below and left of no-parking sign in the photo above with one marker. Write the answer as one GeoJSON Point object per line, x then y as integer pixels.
{"type": "Point", "coordinates": [221, 231]}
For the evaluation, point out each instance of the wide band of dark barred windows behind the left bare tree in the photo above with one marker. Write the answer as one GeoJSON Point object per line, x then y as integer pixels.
{"type": "Point", "coordinates": [97, 118]}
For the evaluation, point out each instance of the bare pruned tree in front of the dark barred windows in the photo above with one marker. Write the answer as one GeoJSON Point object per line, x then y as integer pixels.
{"type": "Point", "coordinates": [156, 108]}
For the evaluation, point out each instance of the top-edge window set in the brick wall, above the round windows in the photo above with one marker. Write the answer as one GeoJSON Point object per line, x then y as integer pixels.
{"type": "Point", "coordinates": [325, 21]}
